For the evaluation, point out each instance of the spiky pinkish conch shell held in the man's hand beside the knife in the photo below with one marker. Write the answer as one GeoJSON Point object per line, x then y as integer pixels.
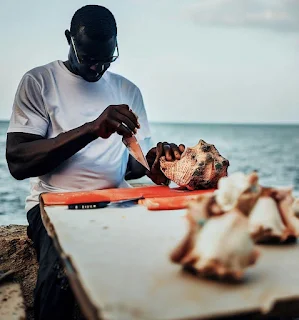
{"type": "Point", "coordinates": [200, 167]}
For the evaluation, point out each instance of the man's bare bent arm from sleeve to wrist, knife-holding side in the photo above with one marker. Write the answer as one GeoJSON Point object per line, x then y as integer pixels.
{"type": "Point", "coordinates": [30, 155]}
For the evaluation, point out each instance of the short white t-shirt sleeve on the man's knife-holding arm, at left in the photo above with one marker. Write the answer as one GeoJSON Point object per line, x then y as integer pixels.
{"type": "Point", "coordinates": [29, 114]}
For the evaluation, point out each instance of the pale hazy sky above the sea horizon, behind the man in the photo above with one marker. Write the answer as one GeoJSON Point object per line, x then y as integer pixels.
{"type": "Point", "coordinates": [228, 61]}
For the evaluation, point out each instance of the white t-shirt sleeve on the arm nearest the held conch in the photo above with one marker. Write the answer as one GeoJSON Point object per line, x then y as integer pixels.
{"type": "Point", "coordinates": [143, 134]}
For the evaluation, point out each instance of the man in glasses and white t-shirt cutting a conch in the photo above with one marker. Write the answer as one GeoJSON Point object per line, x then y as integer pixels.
{"type": "Point", "coordinates": [65, 134]}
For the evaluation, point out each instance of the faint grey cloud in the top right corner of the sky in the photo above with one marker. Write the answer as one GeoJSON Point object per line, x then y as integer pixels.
{"type": "Point", "coordinates": [276, 15]}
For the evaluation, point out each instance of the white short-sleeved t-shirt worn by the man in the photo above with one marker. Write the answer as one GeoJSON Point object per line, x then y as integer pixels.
{"type": "Point", "coordinates": [51, 100]}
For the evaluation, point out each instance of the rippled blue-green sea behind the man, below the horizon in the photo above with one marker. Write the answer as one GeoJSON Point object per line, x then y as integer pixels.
{"type": "Point", "coordinates": [272, 150]}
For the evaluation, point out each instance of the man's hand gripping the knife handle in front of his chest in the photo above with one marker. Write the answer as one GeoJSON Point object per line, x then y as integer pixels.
{"type": "Point", "coordinates": [116, 118]}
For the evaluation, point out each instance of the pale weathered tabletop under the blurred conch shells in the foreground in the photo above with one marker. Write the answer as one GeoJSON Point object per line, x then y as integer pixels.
{"type": "Point", "coordinates": [117, 260]}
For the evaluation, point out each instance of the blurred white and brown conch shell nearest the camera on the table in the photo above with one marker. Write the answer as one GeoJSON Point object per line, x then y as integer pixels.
{"type": "Point", "coordinates": [219, 247]}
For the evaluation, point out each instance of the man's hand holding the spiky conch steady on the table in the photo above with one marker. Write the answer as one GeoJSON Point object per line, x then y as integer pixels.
{"type": "Point", "coordinates": [171, 152]}
